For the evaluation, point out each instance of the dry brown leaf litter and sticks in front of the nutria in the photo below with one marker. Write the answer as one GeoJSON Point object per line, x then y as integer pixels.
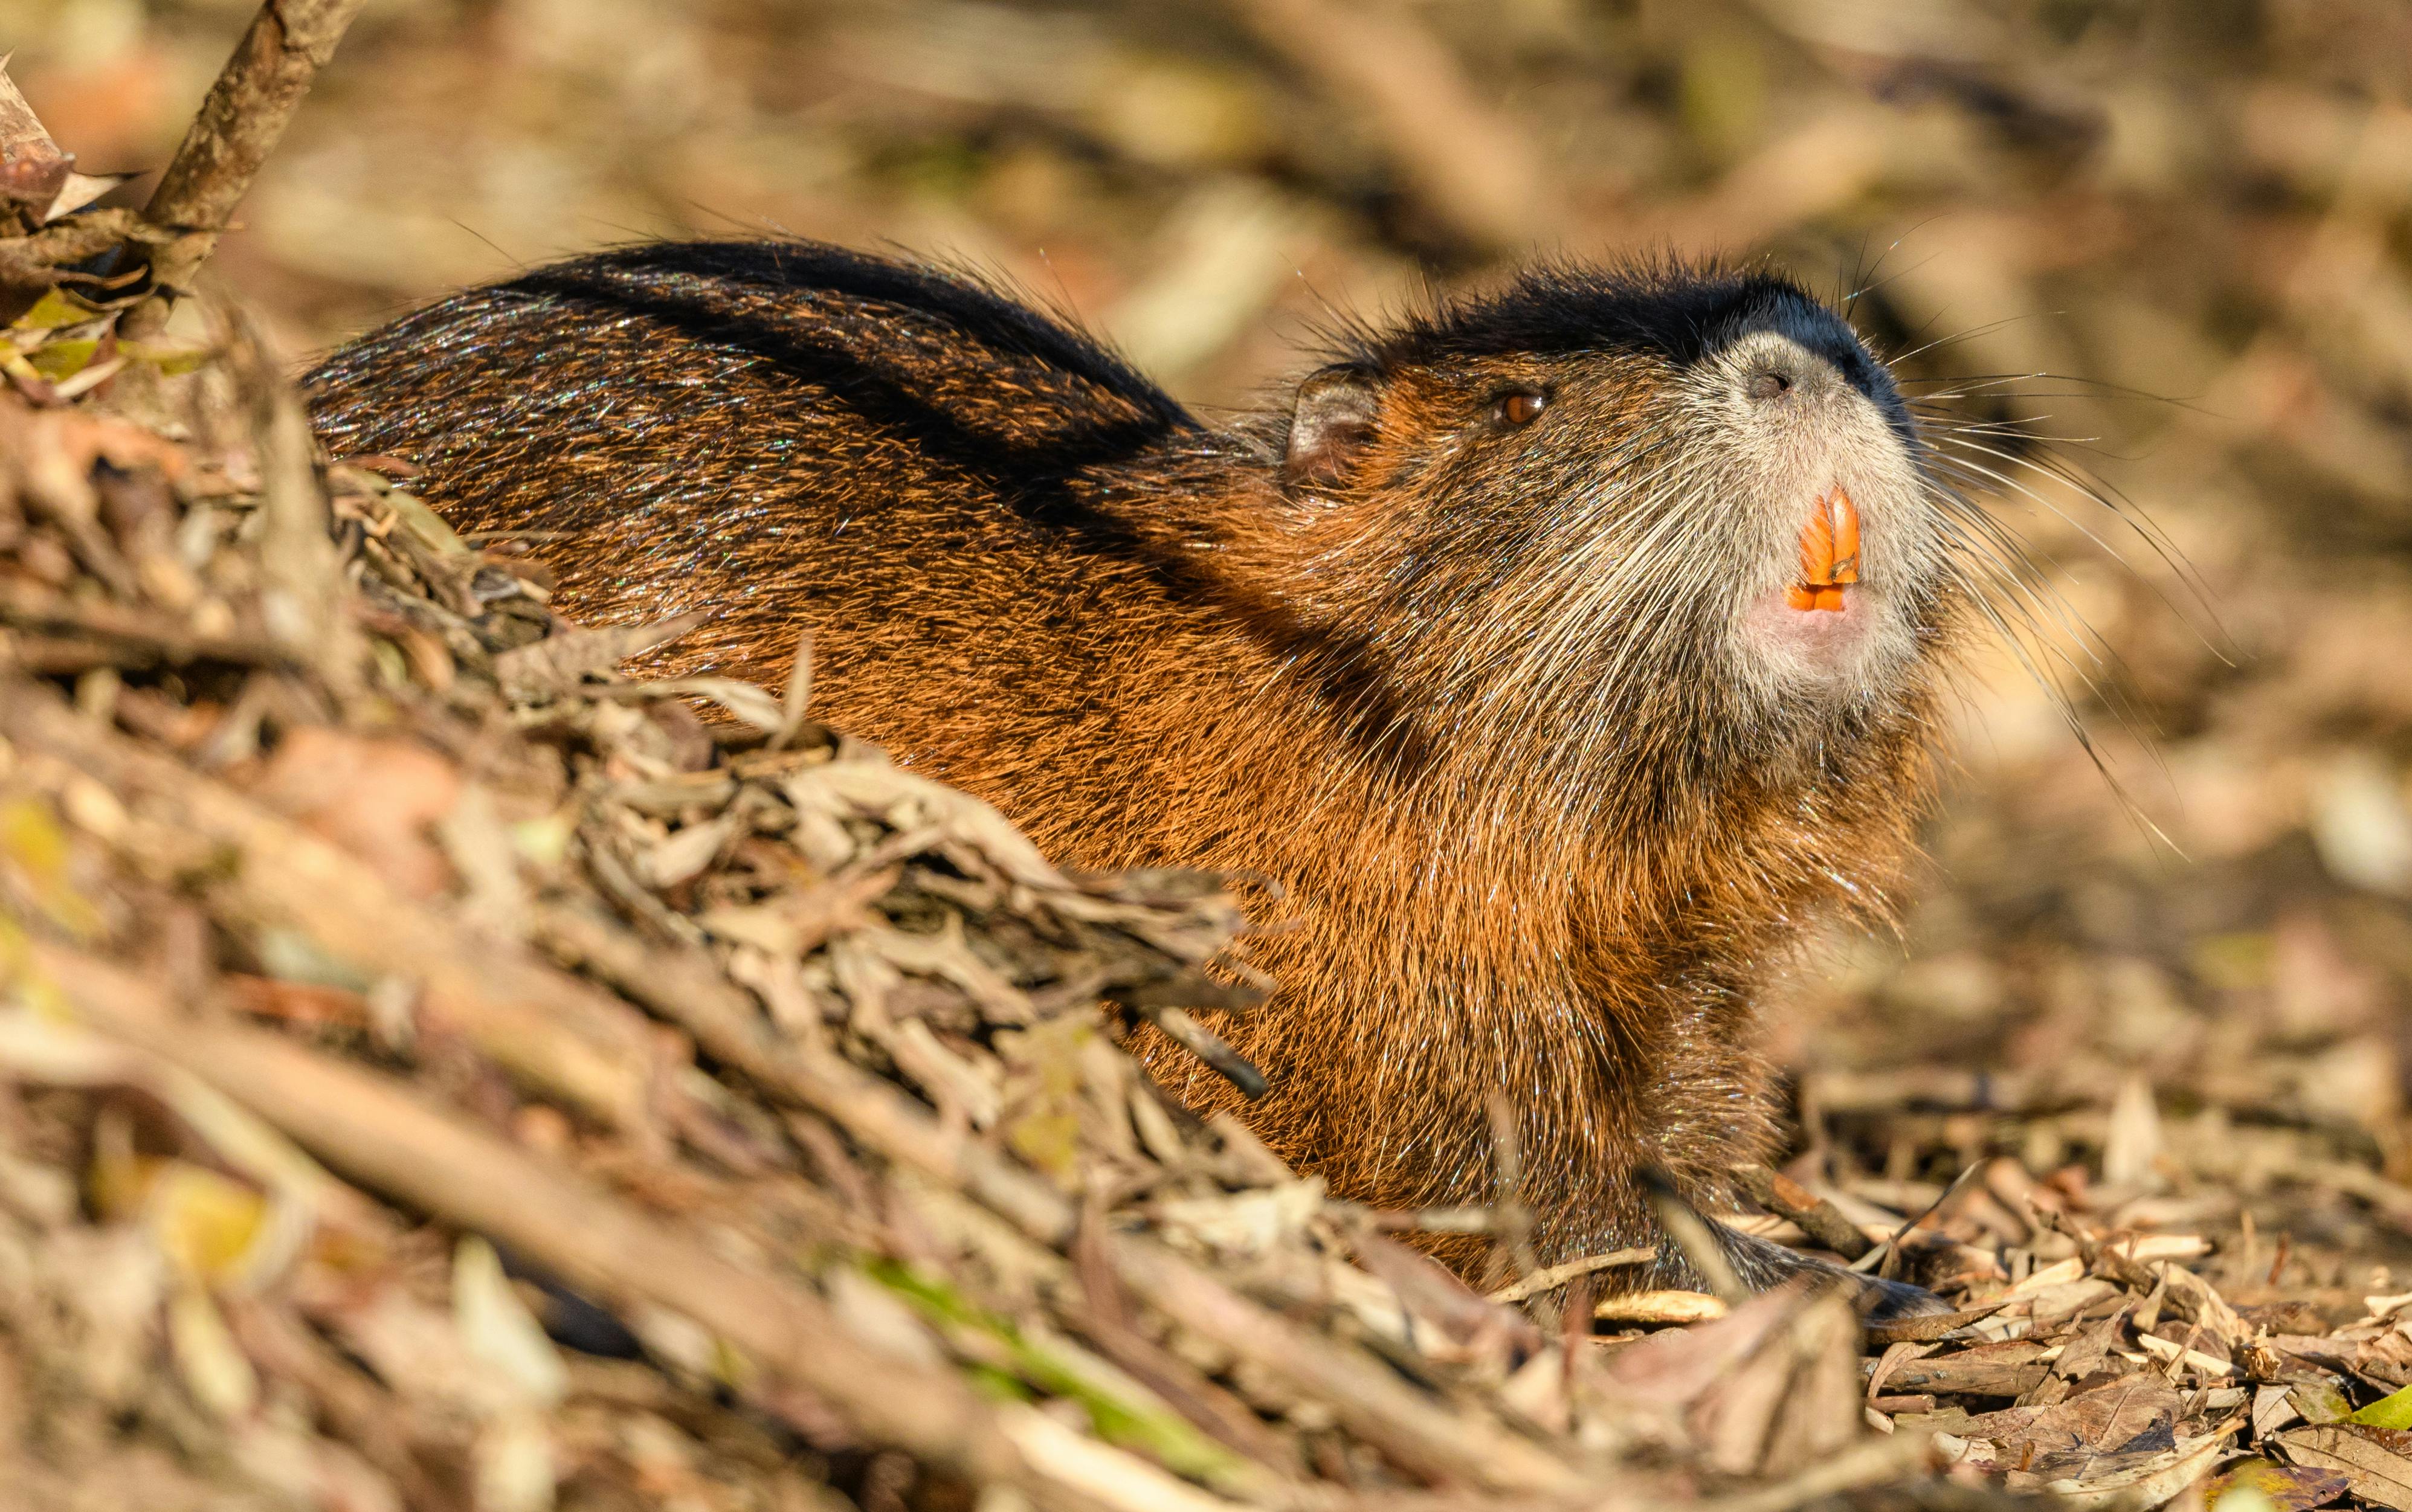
{"type": "Point", "coordinates": [443, 1072]}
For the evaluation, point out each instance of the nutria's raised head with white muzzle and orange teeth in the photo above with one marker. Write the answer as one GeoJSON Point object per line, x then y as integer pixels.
{"type": "Point", "coordinates": [1605, 522]}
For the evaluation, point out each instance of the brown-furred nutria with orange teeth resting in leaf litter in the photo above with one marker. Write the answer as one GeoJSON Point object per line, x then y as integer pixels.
{"type": "Point", "coordinates": [1562, 652]}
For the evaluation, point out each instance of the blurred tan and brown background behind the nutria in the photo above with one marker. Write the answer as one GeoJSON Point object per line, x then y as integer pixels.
{"type": "Point", "coordinates": [2155, 245]}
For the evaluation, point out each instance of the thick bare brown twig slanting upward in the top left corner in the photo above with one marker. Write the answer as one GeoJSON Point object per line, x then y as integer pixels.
{"type": "Point", "coordinates": [230, 139]}
